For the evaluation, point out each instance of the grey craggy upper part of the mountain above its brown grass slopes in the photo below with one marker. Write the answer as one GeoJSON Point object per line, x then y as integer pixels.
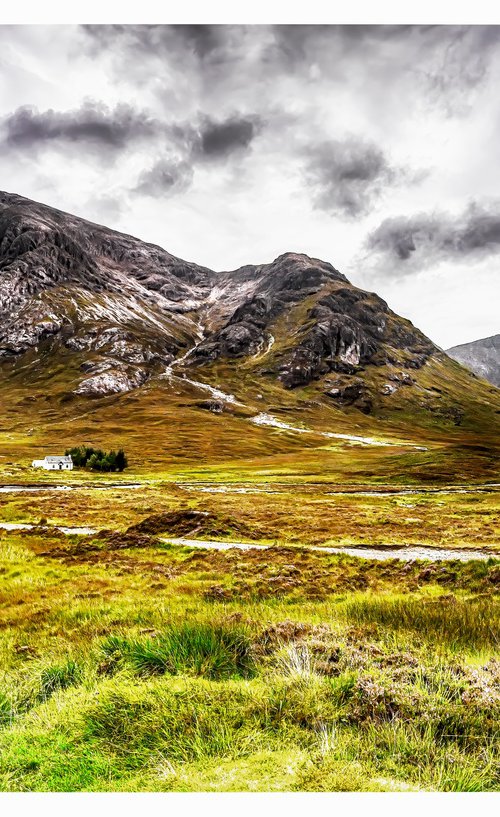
{"type": "Point", "coordinates": [128, 309]}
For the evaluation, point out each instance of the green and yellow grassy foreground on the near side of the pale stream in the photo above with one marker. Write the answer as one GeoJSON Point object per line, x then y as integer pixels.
{"type": "Point", "coordinates": [119, 674]}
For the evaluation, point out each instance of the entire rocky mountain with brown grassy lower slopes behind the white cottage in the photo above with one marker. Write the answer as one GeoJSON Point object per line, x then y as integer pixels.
{"type": "Point", "coordinates": [105, 338]}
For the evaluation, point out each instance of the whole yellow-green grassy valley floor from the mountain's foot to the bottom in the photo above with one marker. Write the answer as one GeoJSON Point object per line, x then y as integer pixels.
{"type": "Point", "coordinates": [132, 664]}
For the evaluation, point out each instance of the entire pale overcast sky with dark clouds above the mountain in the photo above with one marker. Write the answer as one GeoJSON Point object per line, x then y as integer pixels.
{"type": "Point", "coordinates": [375, 148]}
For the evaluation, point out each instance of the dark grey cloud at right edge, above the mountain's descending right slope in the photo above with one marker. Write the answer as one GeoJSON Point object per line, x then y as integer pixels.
{"type": "Point", "coordinates": [405, 244]}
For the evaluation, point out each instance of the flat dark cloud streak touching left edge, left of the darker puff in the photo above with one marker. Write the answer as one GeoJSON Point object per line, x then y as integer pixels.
{"type": "Point", "coordinates": [92, 124]}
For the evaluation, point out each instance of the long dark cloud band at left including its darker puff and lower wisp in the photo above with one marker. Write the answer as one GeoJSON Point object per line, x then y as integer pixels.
{"type": "Point", "coordinates": [105, 132]}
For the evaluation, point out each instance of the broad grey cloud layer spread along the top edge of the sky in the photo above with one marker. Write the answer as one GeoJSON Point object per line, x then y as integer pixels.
{"type": "Point", "coordinates": [448, 62]}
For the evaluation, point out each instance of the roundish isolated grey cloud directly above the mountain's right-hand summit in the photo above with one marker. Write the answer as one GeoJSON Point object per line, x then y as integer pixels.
{"type": "Point", "coordinates": [346, 178]}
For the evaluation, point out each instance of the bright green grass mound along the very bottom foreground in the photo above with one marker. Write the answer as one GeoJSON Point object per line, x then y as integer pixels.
{"type": "Point", "coordinates": [170, 734]}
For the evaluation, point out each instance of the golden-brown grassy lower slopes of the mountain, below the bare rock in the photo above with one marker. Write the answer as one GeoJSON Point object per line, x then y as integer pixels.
{"type": "Point", "coordinates": [164, 425]}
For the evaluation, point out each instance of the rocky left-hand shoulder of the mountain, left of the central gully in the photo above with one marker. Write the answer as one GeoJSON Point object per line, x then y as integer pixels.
{"type": "Point", "coordinates": [124, 303]}
